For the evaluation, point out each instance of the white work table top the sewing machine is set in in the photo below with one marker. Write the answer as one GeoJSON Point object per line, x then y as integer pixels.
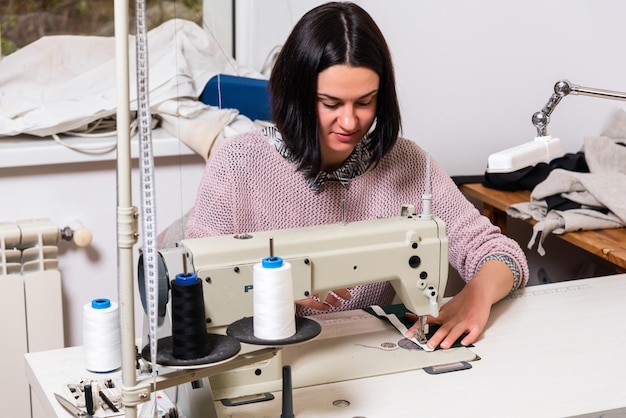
{"type": "Point", "coordinates": [554, 350]}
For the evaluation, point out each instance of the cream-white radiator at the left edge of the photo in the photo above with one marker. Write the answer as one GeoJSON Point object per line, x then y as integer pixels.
{"type": "Point", "coordinates": [31, 307]}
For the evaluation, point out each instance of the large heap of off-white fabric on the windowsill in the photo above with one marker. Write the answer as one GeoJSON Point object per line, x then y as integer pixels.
{"type": "Point", "coordinates": [61, 84]}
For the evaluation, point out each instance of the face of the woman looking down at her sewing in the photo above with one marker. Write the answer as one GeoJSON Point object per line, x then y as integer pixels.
{"type": "Point", "coordinates": [346, 108]}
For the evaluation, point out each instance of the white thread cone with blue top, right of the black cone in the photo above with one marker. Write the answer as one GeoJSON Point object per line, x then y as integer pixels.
{"type": "Point", "coordinates": [274, 311]}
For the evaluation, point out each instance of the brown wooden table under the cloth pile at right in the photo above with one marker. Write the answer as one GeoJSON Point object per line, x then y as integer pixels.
{"type": "Point", "coordinates": [609, 244]}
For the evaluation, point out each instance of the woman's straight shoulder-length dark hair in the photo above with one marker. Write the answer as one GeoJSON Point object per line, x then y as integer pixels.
{"type": "Point", "coordinates": [334, 33]}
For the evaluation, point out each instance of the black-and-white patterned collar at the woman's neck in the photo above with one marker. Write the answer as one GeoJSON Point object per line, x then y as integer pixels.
{"type": "Point", "coordinates": [354, 166]}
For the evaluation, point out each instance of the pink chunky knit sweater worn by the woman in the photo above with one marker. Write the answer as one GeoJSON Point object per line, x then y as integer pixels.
{"type": "Point", "coordinates": [248, 186]}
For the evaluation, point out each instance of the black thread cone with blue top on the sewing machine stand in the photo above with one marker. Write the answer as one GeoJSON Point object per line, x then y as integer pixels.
{"type": "Point", "coordinates": [190, 339]}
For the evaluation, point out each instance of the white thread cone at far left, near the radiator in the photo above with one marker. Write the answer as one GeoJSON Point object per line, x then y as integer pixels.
{"type": "Point", "coordinates": [101, 336]}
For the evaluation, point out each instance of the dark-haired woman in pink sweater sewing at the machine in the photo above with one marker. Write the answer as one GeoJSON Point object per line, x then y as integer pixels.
{"type": "Point", "coordinates": [335, 152]}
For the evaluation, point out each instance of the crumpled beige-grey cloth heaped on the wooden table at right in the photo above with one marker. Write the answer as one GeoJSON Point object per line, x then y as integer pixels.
{"type": "Point", "coordinates": [600, 194]}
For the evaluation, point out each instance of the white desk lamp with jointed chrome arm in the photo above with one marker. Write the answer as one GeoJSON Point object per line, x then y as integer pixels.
{"type": "Point", "coordinates": [544, 147]}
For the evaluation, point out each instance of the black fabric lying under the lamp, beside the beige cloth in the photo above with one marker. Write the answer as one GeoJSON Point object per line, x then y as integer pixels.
{"type": "Point", "coordinates": [528, 177]}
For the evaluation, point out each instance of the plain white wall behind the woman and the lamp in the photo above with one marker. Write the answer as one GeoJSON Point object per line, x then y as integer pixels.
{"type": "Point", "coordinates": [471, 73]}
